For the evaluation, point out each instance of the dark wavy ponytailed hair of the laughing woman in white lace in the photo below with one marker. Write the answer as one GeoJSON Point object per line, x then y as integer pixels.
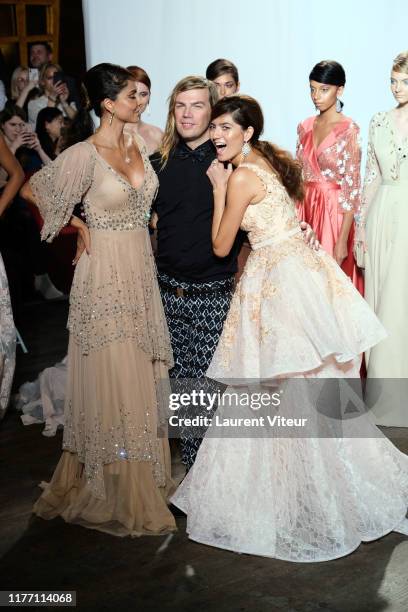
{"type": "Point", "coordinates": [247, 113]}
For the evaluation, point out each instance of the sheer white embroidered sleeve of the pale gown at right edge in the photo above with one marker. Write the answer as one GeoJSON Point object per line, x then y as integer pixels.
{"type": "Point", "coordinates": [372, 180]}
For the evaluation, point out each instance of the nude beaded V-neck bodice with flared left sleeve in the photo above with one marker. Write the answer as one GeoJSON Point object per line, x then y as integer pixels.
{"type": "Point", "coordinates": [80, 174]}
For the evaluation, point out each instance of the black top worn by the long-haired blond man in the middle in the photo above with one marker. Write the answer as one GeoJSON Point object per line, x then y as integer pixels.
{"type": "Point", "coordinates": [184, 205]}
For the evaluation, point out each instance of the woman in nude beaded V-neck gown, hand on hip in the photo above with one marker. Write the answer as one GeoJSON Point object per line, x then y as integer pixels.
{"type": "Point", "coordinates": [114, 472]}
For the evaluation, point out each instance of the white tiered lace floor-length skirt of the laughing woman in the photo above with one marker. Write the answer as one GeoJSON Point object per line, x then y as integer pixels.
{"type": "Point", "coordinates": [304, 495]}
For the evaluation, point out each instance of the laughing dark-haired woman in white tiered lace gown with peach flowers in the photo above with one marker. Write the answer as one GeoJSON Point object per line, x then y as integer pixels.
{"type": "Point", "coordinates": [294, 314]}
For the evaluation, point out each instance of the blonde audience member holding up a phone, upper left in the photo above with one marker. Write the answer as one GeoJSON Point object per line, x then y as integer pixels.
{"type": "Point", "coordinates": [54, 94]}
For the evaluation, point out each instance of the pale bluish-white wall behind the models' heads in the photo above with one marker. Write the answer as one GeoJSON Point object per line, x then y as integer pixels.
{"type": "Point", "coordinates": [274, 43]}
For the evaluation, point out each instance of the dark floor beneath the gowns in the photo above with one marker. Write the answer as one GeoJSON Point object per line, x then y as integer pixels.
{"type": "Point", "coordinates": [162, 573]}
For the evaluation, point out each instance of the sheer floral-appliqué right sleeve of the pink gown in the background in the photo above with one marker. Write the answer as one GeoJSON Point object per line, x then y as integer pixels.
{"type": "Point", "coordinates": [349, 162]}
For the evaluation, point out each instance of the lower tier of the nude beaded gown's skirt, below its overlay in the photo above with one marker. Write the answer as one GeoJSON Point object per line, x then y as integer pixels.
{"type": "Point", "coordinates": [134, 491]}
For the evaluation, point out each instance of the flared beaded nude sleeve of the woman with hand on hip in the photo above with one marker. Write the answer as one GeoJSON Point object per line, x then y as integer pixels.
{"type": "Point", "coordinates": [59, 186]}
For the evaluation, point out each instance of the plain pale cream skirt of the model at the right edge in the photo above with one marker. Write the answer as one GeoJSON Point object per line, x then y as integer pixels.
{"type": "Point", "coordinates": [386, 290]}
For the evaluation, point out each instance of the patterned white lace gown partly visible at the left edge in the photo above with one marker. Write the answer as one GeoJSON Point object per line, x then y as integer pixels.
{"type": "Point", "coordinates": [7, 342]}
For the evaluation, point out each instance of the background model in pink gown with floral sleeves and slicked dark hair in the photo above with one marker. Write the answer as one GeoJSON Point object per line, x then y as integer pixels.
{"type": "Point", "coordinates": [329, 150]}
